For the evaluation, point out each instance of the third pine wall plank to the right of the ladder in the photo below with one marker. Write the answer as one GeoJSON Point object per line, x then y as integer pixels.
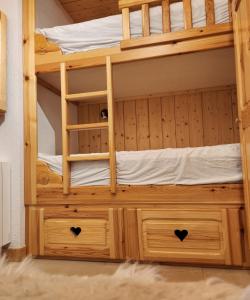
{"type": "Point", "coordinates": [142, 120]}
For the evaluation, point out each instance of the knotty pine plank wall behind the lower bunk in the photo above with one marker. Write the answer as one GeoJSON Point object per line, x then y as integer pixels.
{"type": "Point", "coordinates": [188, 119]}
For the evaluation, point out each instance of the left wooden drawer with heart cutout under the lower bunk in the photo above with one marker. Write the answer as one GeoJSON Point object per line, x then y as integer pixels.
{"type": "Point", "coordinates": [77, 232]}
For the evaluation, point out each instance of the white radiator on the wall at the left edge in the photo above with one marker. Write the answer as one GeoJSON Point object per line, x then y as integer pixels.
{"type": "Point", "coordinates": [5, 200]}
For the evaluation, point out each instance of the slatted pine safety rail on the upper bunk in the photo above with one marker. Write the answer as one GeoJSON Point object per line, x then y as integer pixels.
{"type": "Point", "coordinates": [167, 36]}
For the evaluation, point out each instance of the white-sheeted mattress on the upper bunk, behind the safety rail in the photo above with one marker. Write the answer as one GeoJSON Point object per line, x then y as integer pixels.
{"type": "Point", "coordinates": [107, 32]}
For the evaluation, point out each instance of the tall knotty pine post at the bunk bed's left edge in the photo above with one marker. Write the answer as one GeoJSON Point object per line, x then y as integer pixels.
{"type": "Point", "coordinates": [30, 102]}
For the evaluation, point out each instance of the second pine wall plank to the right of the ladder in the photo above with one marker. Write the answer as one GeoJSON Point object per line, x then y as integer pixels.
{"type": "Point", "coordinates": [130, 126]}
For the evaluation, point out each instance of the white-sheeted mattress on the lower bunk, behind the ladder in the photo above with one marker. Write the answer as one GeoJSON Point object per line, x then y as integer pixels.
{"type": "Point", "coordinates": [186, 166]}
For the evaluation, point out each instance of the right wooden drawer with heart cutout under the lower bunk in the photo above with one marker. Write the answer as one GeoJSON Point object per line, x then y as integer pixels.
{"type": "Point", "coordinates": [184, 235]}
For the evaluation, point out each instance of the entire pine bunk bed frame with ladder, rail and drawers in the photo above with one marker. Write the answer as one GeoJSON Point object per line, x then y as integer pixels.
{"type": "Point", "coordinates": [191, 224]}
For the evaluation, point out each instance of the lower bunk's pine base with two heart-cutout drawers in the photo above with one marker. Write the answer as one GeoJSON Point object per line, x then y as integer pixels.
{"type": "Point", "coordinates": [198, 224]}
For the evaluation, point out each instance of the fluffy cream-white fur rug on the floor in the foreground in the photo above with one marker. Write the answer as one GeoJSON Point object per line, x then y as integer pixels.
{"type": "Point", "coordinates": [130, 282]}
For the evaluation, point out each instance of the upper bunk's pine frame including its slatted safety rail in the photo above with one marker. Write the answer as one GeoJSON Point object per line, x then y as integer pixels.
{"type": "Point", "coordinates": [212, 36]}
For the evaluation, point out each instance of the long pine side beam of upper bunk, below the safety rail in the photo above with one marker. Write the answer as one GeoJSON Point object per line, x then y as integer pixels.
{"type": "Point", "coordinates": [50, 61]}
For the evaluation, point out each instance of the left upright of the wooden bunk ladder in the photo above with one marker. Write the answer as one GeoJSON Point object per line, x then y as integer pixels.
{"type": "Point", "coordinates": [65, 133]}
